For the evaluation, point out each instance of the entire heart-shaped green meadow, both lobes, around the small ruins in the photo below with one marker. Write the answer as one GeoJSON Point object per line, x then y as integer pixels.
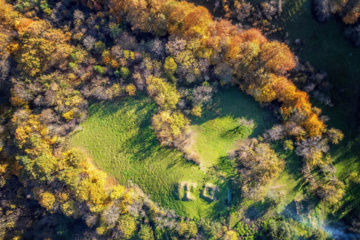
{"type": "Point", "coordinates": [119, 138]}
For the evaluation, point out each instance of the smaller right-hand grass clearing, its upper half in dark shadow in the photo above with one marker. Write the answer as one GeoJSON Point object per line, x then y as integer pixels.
{"type": "Point", "coordinates": [218, 129]}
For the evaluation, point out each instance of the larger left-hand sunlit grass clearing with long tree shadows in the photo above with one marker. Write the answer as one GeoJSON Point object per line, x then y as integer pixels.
{"type": "Point", "coordinates": [119, 138]}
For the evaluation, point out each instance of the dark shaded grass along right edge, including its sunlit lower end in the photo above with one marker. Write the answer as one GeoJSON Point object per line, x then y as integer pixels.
{"type": "Point", "coordinates": [326, 48]}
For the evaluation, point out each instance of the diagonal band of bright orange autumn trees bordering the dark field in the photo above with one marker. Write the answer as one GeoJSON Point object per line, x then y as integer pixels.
{"type": "Point", "coordinates": [259, 64]}
